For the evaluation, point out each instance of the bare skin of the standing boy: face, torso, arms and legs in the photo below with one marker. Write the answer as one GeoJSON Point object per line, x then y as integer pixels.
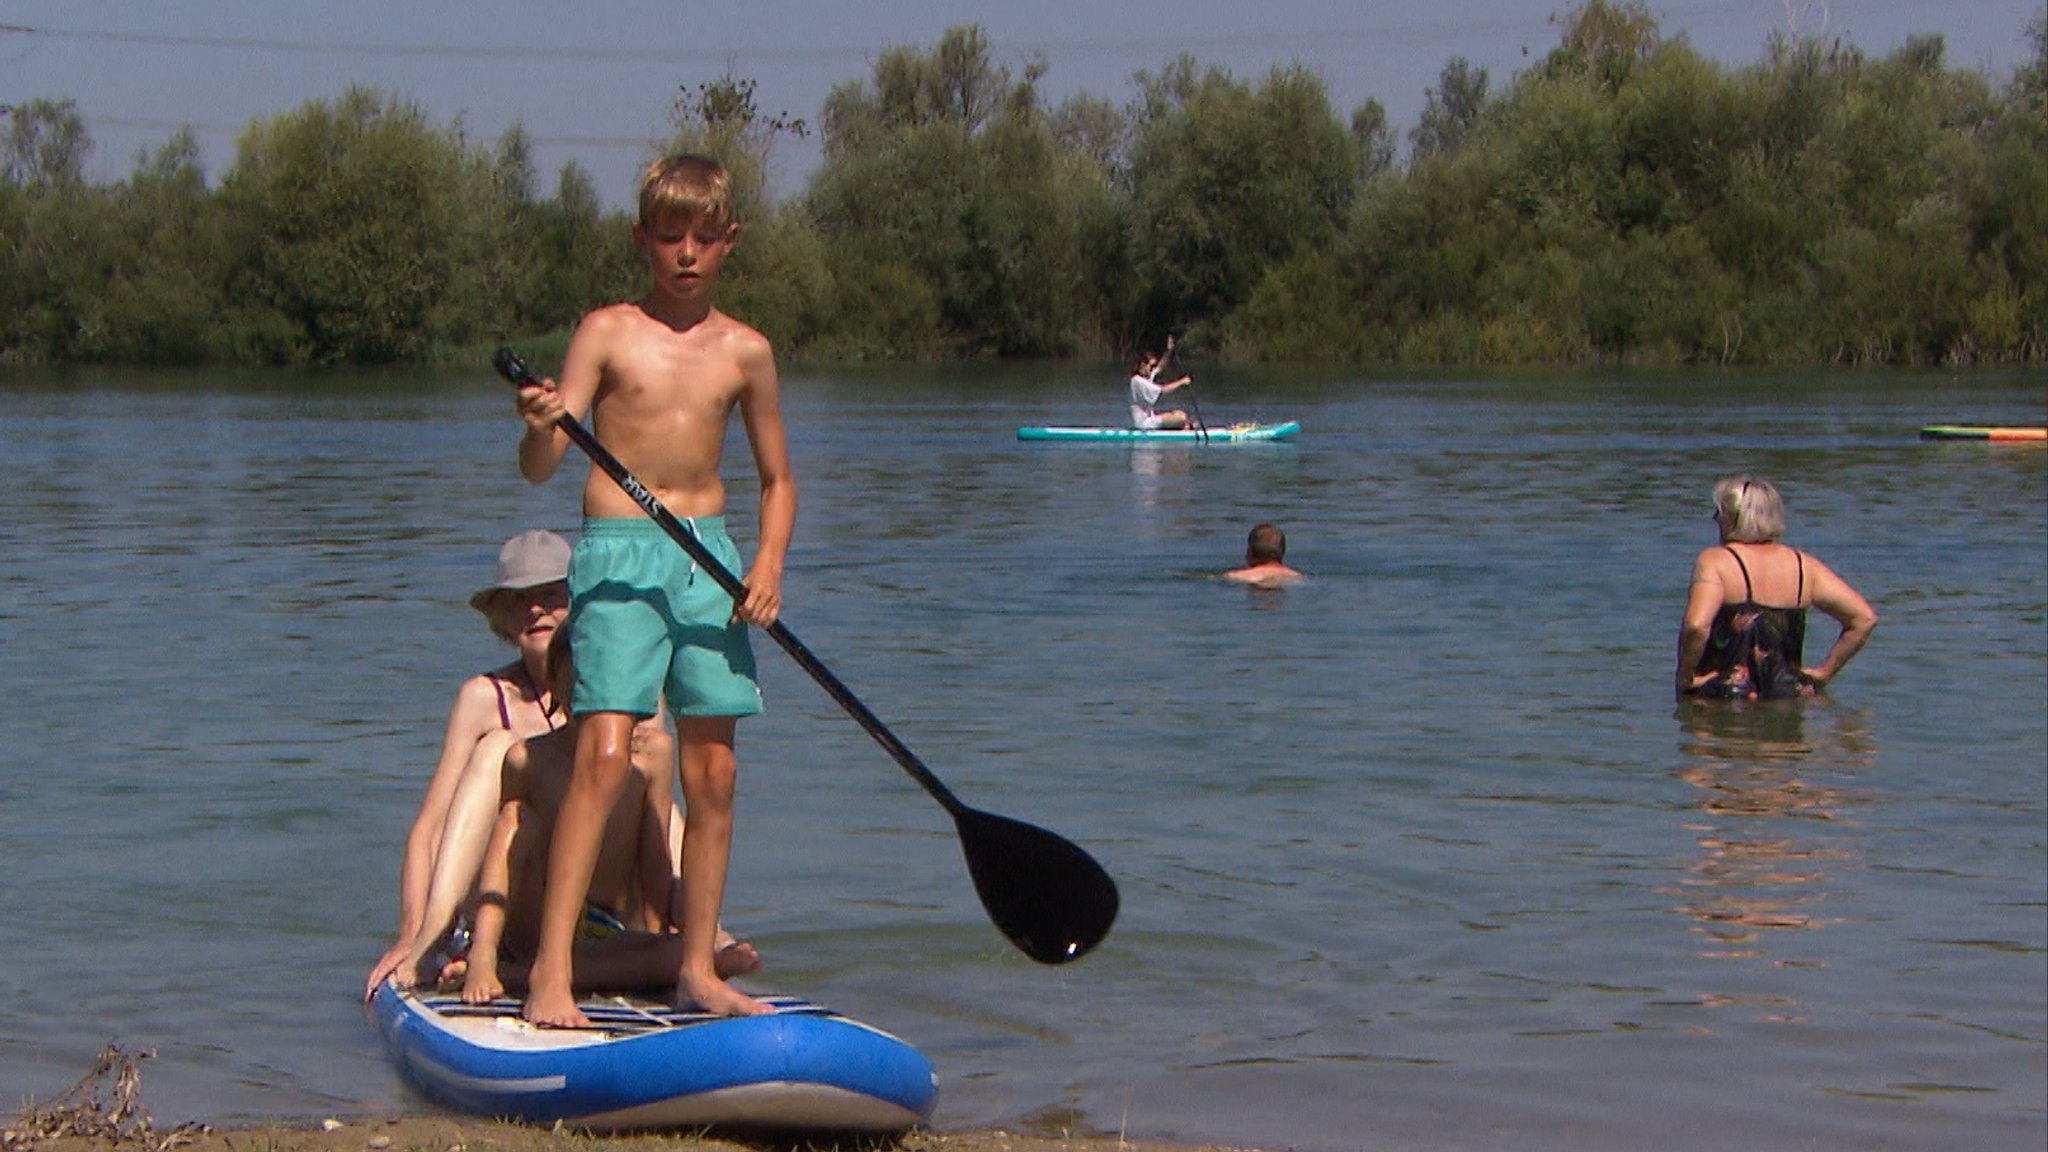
{"type": "Point", "coordinates": [660, 380]}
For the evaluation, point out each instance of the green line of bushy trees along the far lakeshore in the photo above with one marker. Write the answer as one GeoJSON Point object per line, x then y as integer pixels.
{"type": "Point", "coordinates": [1619, 200]}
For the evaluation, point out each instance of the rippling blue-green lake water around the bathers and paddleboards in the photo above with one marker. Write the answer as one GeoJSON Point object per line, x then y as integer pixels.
{"type": "Point", "coordinates": [1416, 856]}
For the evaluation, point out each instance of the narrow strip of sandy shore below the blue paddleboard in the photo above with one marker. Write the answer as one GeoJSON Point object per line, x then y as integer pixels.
{"type": "Point", "coordinates": [443, 1135]}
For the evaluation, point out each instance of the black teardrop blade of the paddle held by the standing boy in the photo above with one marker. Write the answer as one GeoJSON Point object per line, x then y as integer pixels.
{"type": "Point", "coordinates": [1050, 897]}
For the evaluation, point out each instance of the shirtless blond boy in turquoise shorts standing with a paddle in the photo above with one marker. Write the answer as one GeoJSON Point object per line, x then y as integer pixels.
{"type": "Point", "coordinates": [660, 380]}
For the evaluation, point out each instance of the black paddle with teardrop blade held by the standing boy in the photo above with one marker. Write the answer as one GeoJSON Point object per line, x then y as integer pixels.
{"type": "Point", "coordinates": [1043, 893]}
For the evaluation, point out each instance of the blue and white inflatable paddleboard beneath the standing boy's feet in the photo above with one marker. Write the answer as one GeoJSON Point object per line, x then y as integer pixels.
{"type": "Point", "coordinates": [648, 1067]}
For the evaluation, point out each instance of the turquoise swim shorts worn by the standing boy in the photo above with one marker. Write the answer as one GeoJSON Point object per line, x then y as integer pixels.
{"type": "Point", "coordinates": [646, 622]}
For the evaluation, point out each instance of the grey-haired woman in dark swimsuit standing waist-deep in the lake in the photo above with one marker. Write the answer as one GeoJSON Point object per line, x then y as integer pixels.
{"type": "Point", "coordinates": [1746, 620]}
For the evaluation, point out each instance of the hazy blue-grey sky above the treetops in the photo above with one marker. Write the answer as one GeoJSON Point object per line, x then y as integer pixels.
{"type": "Point", "coordinates": [595, 81]}
